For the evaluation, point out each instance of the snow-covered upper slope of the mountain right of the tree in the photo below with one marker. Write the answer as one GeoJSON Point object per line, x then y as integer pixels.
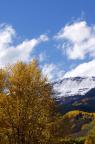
{"type": "Point", "coordinates": [74, 86]}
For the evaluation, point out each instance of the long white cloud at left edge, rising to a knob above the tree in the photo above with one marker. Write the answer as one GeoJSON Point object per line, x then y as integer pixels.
{"type": "Point", "coordinates": [9, 53]}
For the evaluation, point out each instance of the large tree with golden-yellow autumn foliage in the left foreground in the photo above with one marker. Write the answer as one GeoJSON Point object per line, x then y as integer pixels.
{"type": "Point", "coordinates": [26, 106]}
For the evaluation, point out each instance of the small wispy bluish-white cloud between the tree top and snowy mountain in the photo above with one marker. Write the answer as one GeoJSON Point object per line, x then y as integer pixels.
{"type": "Point", "coordinates": [52, 71]}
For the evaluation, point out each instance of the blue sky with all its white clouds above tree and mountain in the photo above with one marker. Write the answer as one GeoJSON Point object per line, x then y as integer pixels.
{"type": "Point", "coordinates": [59, 33]}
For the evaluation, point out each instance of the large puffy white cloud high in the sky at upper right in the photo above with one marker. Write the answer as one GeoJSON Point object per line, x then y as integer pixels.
{"type": "Point", "coordinates": [78, 40]}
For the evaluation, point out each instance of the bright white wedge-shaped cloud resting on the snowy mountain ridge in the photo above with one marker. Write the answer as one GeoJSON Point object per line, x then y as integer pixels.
{"type": "Point", "coordinates": [82, 70]}
